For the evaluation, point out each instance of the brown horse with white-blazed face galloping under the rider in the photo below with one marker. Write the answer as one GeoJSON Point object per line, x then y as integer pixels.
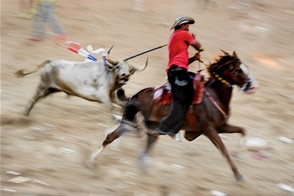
{"type": "Point", "coordinates": [210, 116]}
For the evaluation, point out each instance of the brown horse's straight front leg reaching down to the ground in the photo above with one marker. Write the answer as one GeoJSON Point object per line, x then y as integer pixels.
{"type": "Point", "coordinates": [212, 134]}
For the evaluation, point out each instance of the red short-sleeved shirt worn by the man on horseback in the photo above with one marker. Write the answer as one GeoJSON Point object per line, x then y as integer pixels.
{"type": "Point", "coordinates": [178, 48]}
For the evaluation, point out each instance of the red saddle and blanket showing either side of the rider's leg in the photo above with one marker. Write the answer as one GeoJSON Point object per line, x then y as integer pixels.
{"type": "Point", "coordinates": [163, 96]}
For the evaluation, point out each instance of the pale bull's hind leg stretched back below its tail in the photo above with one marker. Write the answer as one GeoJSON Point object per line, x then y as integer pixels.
{"type": "Point", "coordinates": [41, 92]}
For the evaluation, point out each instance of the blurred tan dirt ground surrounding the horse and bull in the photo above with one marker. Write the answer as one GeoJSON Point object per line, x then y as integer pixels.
{"type": "Point", "coordinates": [45, 153]}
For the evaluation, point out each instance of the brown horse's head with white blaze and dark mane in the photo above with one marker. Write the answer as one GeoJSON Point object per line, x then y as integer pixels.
{"type": "Point", "coordinates": [230, 70]}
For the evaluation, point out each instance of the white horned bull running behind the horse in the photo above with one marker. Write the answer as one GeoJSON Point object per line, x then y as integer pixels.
{"type": "Point", "coordinates": [91, 80]}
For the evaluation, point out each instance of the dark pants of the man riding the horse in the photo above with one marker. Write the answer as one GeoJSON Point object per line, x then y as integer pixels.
{"type": "Point", "coordinates": [182, 93]}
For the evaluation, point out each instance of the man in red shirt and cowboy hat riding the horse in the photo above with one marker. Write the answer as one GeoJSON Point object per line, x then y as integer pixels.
{"type": "Point", "coordinates": [178, 77]}
